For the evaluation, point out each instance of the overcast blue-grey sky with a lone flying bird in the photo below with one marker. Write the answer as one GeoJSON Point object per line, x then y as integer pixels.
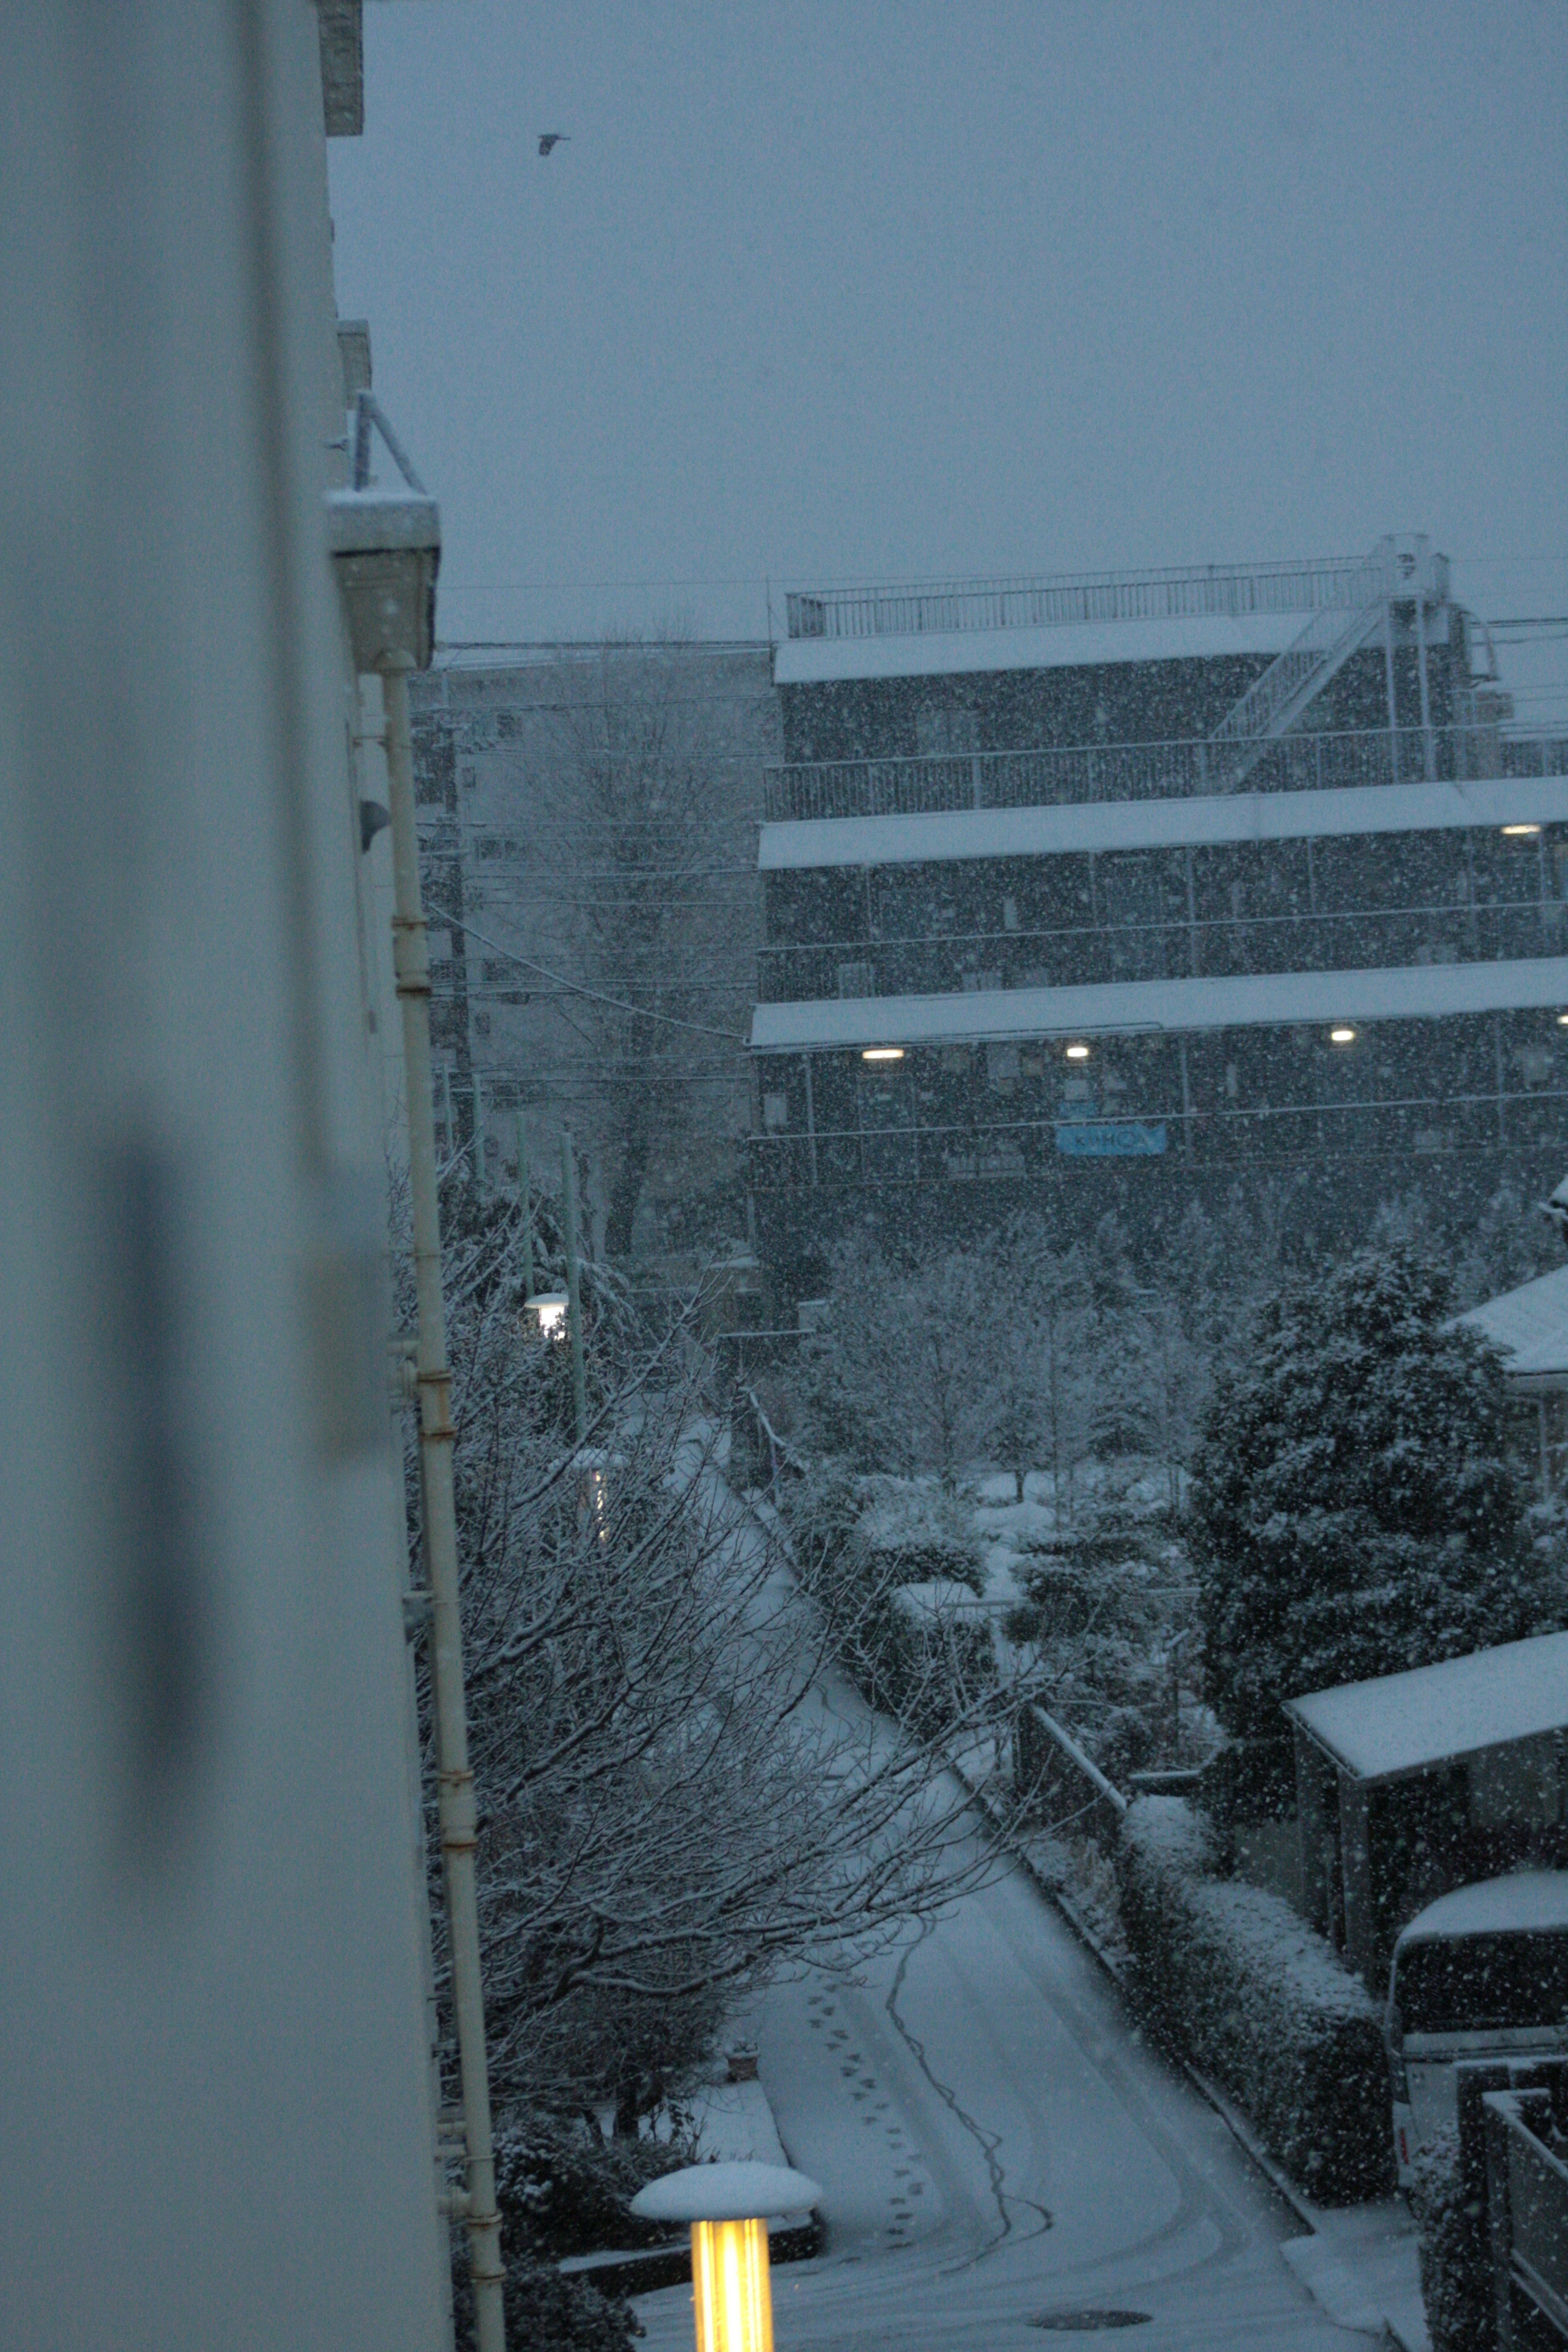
{"type": "Point", "coordinates": [918, 290]}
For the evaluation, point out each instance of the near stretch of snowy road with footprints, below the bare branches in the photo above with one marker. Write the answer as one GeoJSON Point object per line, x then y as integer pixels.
{"type": "Point", "coordinates": [996, 2149]}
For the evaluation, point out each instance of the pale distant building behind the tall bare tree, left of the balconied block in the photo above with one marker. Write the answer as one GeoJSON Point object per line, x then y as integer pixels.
{"type": "Point", "coordinates": [591, 841]}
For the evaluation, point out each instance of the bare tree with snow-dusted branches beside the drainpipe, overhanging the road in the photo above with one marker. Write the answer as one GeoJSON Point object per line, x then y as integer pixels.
{"type": "Point", "coordinates": [671, 1810]}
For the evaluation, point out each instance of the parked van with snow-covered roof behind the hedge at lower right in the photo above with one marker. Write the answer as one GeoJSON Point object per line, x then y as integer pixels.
{"type": "Point", "coordinates": [1480, 1975]}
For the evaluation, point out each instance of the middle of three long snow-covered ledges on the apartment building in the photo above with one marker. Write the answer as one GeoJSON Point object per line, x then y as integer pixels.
{"type": "Point", "coordinates": [1162, 824]}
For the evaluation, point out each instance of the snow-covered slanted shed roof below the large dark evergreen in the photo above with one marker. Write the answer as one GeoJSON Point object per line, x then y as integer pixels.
{"type": "Point", "coordinates": [1435, 1713]}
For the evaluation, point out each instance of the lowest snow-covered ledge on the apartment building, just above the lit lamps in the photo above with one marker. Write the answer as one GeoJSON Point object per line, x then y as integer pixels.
{"type": "Point", "coordinates": [1160, 1008]}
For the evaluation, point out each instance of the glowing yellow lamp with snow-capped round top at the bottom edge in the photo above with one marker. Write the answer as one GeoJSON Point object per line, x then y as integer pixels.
{"type": "Point", "coordinates": [728, 2207]}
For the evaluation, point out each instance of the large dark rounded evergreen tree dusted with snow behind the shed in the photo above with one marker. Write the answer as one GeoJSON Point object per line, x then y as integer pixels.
{"type": "Point", "coordinates": [1355, 1514]}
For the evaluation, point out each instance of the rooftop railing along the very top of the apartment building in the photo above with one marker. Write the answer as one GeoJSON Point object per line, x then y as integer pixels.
{"type": "Point", "coordinates": [1057, 601]}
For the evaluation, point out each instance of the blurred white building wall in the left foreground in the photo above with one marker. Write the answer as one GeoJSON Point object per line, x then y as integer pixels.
{"type": "Point", "coordinates": [210, 1972]}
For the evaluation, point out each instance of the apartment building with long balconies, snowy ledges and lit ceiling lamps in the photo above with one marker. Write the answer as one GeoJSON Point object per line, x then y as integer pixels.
{"type": "Point", "coordinates": [1115, 890]}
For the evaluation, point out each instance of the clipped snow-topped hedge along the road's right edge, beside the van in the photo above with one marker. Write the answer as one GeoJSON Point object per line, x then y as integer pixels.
{"type": "Point", "coordinates": [1257, 1998]}
